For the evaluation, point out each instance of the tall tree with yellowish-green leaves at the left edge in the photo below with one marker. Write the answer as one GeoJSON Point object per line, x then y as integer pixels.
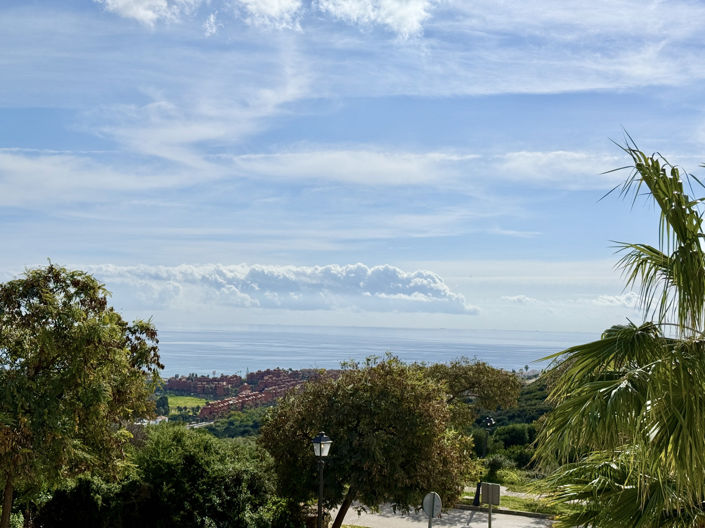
{"type": "Point", "coordinates": [72, 374]}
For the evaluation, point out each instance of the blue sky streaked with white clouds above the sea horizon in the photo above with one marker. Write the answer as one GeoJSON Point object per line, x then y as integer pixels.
{"type": "Point", "coordinates": [406, 163]}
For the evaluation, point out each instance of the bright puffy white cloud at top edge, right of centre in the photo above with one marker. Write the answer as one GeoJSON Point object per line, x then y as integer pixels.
{"type": "Point", "coordinates": [404, 17]}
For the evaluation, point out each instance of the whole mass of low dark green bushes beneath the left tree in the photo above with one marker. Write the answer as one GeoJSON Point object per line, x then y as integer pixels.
{"type": "Point", "coordinates": [183, 478]}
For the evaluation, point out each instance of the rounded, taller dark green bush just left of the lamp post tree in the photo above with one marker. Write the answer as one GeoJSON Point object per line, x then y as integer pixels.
{"type": "Point", "coordinates": [189, 478]}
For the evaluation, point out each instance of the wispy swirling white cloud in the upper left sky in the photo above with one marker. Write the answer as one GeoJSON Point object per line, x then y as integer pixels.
{"type": "Point", "coordinates": [181, 123]}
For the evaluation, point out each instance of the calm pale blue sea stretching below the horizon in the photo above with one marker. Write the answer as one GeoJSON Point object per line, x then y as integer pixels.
{"type": "Point", "coordinates": [240, 350]}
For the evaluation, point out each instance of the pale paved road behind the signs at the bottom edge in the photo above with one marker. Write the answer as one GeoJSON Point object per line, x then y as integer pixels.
{"type": "Point", "coordinates": [386, 518]}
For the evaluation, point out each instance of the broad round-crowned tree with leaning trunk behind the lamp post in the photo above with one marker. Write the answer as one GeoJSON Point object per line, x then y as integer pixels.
{"type": "Point", "coordinates": [389, 423]}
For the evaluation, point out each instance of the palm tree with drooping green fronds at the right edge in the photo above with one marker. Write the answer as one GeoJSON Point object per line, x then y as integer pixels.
{"type": "Point", "coordinates": [628, 429]}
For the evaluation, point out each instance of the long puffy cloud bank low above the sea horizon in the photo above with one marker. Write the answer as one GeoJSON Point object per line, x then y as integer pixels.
{"type": "Point", "coordinates": [351, 287]}
